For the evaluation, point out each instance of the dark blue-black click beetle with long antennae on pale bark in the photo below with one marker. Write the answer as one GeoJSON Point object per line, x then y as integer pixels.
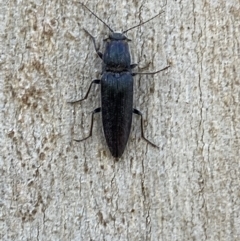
{"type": "Point", "coordinates": [116, 90]}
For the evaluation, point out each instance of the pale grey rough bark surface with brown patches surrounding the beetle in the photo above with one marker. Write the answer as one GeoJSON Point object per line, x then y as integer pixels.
{"type": "Point", "coordinates": [55, 189]}
